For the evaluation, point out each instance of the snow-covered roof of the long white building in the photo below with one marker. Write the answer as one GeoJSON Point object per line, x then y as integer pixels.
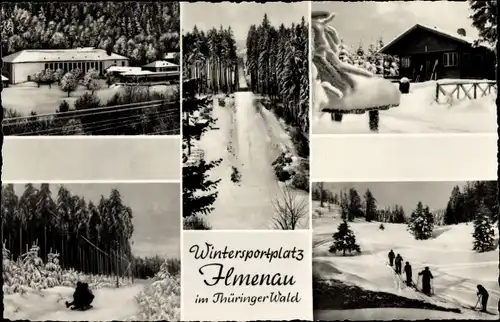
{"type": "Point", "coordinates": [50, 55]}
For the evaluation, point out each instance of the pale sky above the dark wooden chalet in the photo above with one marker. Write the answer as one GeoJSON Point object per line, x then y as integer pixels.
{"type": "Point", "coordinates": [367, 21]}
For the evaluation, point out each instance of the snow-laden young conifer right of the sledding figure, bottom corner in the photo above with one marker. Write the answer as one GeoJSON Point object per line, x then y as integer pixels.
{"type": "Point", "coordinates": [161, 300]}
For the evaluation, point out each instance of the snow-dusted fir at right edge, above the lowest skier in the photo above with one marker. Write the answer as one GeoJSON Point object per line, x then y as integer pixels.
{"type": "Point", "coordinates": [484, 235]}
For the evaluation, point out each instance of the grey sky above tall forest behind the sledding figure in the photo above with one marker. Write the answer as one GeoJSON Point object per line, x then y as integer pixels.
{"type": "Point", "coordinates": [155, 208]}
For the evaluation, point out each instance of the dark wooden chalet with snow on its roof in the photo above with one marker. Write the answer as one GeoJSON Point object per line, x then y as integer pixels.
{"type": "Point", "coordinates": [428, 53]}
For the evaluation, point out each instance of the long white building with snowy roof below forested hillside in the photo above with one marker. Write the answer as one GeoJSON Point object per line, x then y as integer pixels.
{"type": "Point", "coordinates": [21, 66]}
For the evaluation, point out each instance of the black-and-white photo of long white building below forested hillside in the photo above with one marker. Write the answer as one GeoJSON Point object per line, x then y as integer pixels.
{"type": "Point", "coordinates": [90, 68]}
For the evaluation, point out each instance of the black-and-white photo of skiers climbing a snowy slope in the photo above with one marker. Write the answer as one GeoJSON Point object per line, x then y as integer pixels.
{"type": "Point", "coordinates": [405, 250]}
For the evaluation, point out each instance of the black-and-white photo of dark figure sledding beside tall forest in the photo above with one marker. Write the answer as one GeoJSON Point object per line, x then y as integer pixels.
{"type": "Point", "coordinates": [91, 251]}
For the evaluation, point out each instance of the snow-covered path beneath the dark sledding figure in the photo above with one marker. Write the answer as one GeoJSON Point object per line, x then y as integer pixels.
{"type": "Point", "coordinates": [110, 304]}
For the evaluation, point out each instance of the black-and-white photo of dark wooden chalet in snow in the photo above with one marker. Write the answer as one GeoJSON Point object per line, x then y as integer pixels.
{"type": "Point", "coordinates": [404, 67]}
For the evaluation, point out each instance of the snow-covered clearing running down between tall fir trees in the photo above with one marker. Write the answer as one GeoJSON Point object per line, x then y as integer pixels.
{"type": "Point", "coordinates": [249, 139]}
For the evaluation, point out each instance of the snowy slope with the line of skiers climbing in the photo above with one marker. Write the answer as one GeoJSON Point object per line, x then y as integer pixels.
{"type": "Point", "coordinates": [456, 268]}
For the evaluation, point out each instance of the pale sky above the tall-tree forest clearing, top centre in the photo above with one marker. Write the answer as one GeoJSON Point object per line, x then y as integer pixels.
{"type": "Point", "coordinates": [240, 16]}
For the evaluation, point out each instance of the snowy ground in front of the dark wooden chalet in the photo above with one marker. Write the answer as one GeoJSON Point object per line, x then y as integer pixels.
{"type": "Point", "coordinates": [417, 113]}
